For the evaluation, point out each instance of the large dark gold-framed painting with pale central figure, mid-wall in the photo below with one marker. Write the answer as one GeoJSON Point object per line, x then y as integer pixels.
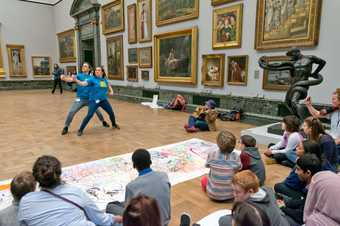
{"type": "Point", "coordinates": [176, 56]}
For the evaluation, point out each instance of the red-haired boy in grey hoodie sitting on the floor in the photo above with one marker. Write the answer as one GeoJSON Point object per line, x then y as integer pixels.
{"type": "Point", "coordinates": [247, 189]}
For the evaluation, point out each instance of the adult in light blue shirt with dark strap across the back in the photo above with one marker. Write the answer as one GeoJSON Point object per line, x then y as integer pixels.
{"type": "Point", "coordinates": [58, 203]}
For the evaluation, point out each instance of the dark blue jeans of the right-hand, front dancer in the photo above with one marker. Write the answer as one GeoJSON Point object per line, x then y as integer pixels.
{"type": "Point", "coordinates": [93, 107]}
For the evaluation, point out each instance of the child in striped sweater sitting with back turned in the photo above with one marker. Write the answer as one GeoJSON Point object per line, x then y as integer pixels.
{"type": "Point", "coordinates": [223, 164]}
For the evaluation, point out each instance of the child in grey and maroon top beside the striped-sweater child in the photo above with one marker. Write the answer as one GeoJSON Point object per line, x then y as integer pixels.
{"type": "Point", "coordinates": [251, 157]}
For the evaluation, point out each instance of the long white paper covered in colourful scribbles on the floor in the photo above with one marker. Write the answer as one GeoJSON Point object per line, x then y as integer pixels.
{"type": "Point", "coordinates": [105, 180]}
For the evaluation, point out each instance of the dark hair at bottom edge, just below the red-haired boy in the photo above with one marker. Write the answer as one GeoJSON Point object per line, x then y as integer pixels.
{"type": "Point", "coordinates": [245, 214]}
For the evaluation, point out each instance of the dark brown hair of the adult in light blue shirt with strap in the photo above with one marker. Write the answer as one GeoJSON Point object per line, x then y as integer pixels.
{"type": "Point", "coordinates": [47, 171]}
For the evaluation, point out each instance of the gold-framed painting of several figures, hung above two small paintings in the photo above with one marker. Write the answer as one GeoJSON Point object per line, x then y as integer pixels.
{"type": "Point", "coordinates": [227, 27]}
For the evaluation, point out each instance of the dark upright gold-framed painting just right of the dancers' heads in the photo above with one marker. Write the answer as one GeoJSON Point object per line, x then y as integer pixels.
{"type": "Point", "coordinates": [115, 58]}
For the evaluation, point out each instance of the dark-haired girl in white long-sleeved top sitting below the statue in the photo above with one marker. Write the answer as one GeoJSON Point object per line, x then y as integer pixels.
{"type": "Point", "coordinates": [284, 152]}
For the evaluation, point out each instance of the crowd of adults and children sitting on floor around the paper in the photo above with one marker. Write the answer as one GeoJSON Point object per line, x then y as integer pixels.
{"type": "Point", "coordinates": [307, 196]}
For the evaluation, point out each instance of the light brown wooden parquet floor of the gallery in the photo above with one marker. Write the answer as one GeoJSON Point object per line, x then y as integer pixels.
{"type": "Point", "coordinates": [31, 122]}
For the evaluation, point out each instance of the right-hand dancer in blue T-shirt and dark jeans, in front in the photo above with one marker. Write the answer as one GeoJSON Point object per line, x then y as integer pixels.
{"type": "Point", "coordinates": [99, 88]}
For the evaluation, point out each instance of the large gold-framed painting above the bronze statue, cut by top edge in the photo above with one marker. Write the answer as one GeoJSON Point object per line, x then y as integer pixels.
{"type": "Point", "coordinates": [285, 24]}
